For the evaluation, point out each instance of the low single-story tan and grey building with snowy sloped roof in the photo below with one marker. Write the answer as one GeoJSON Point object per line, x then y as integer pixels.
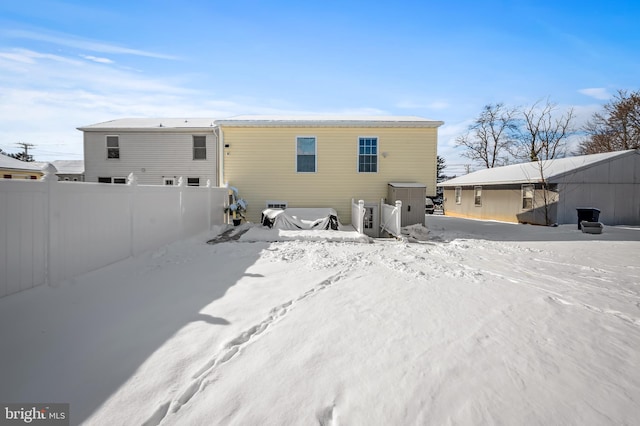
{"type": "Point", "coordinates": [609, 182]}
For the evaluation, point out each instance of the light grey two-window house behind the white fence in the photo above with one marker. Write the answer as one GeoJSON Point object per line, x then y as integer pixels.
{"type": "Point", "coordinates": [157, 150]}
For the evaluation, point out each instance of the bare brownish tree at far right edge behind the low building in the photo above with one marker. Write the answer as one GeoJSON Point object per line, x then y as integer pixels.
{"type": "Point", "coordinates": [616, 128]}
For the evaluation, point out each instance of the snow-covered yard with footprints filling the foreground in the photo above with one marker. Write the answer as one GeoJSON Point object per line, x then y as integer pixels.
{"type": "Point", "coordinates": [473, 323]}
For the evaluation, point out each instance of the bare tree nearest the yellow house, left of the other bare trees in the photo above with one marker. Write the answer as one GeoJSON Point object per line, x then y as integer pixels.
{"type": "Point", "coordinates": [491, 137]}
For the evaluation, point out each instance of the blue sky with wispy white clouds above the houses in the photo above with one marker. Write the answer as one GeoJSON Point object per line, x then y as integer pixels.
{"type": "Point", "coordinates": [64, 64]}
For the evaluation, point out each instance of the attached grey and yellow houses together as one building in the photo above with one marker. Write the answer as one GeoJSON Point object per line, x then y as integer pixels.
{"type": "Point", "coordinates": [274, 161]}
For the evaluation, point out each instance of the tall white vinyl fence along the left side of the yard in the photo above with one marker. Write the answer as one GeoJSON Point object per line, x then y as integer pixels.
{"type": "Point", "coordinates": [51, 231]}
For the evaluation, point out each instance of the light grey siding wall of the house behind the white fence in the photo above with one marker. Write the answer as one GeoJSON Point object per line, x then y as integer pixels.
{"type": "Point", "coordinates": [160, 153]}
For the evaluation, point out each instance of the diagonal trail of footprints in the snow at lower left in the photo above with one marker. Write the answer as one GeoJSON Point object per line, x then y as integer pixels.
{"type": "Point", "coordinates": [231, 350]}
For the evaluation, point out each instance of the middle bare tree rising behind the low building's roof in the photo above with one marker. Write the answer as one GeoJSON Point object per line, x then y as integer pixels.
{"type": "Point", "coordinates": [544, 133]}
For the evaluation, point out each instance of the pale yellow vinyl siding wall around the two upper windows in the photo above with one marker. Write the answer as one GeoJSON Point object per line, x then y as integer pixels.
{"type": "Point", "coordinates": [261, 163]}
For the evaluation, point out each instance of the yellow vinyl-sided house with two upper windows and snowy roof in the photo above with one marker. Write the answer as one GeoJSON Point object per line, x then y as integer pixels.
{"type": "Point", "coordinates": [294, 161]}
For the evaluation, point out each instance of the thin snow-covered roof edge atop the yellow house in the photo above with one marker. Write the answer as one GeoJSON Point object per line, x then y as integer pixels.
{"type": "Point", "coordinates": [327, 121]}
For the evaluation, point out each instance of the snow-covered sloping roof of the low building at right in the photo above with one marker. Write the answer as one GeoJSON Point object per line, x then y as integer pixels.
{"type": "Point", "coordinates": [530, 172]}
